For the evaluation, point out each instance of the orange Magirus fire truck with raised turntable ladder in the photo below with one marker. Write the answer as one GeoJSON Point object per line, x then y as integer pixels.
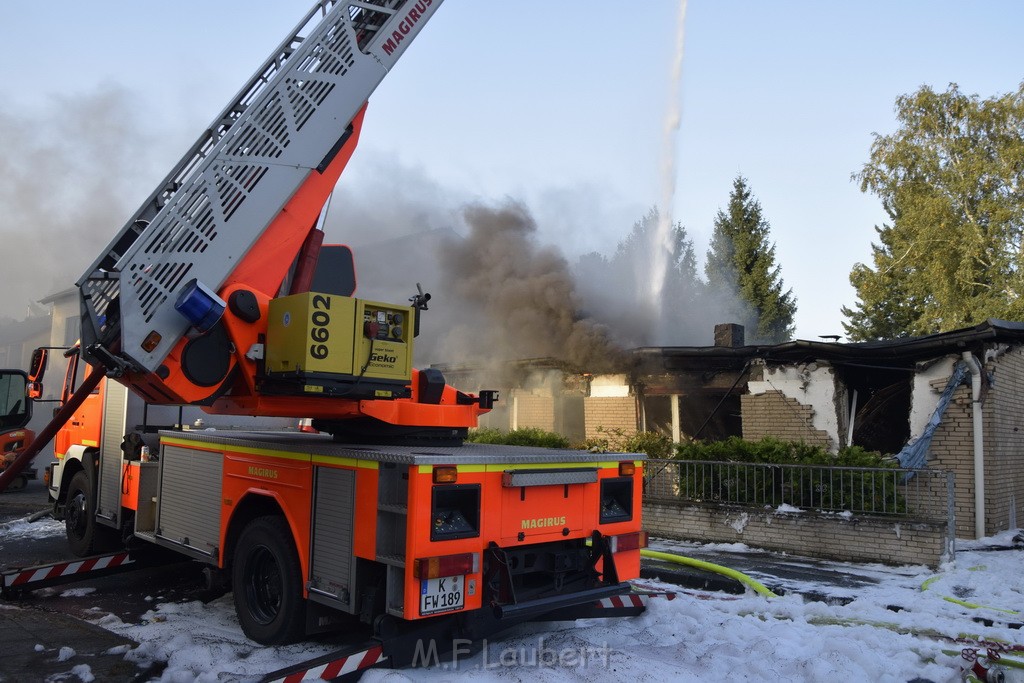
{"type": "Point", "coordinates": [219, 293]}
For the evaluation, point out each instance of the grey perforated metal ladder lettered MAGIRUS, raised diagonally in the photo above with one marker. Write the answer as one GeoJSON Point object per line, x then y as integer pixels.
{"type": "Point", "coordinates": [289, 121]}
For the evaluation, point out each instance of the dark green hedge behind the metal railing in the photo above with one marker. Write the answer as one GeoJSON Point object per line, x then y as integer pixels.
{"type": "Point", "coordinates": [738, 482]}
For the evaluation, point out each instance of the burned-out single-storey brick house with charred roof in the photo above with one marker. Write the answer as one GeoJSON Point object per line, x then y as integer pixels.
{"type": "Point", "coordinates": [885, 396]}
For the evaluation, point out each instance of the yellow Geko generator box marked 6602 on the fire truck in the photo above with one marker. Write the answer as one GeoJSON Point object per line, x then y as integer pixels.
{"type": "Point", "coordinates": [338, 346]}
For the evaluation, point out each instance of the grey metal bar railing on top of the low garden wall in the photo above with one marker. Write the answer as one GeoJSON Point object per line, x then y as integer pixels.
{"type": "Point", "coordinates": [919, 494]}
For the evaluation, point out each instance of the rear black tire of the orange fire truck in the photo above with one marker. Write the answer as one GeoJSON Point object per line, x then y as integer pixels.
{"type": "Point", "coordinates": [268, 583]}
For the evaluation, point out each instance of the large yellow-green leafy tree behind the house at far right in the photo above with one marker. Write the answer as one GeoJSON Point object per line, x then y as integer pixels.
{"type": "Point", "coordinates": [951, 183]}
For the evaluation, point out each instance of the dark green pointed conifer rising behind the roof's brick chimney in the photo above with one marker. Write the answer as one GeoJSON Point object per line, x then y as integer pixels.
{"type": "Point", "coordinates": [743, 262]}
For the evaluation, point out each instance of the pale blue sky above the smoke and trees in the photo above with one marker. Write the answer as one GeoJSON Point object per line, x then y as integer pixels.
{"type": "Point", "coordinates": [562, 104]}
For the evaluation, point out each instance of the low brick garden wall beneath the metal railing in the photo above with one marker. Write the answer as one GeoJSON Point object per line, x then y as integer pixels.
{"type": "Point", "coordinates": [855, 539]}
